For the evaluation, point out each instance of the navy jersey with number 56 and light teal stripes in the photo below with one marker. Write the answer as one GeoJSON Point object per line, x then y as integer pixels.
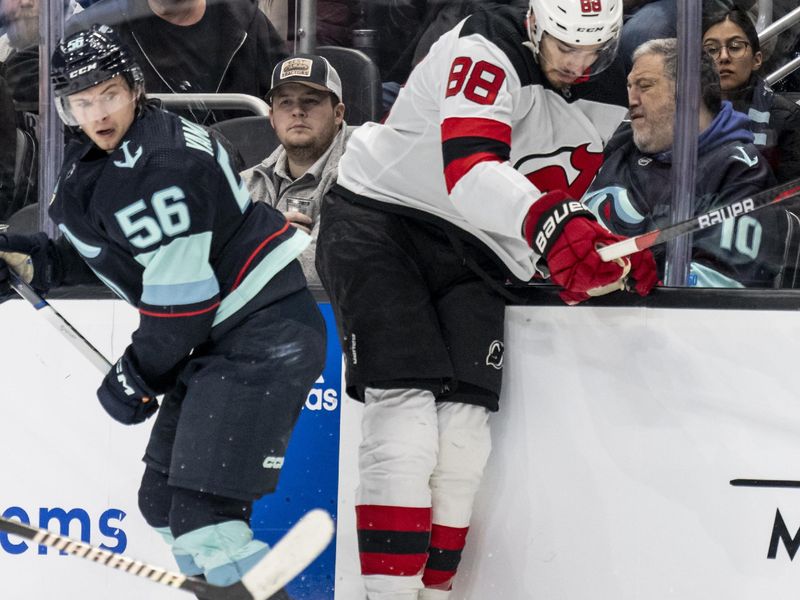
{"type": "Point", "coordinates": [166, 223]}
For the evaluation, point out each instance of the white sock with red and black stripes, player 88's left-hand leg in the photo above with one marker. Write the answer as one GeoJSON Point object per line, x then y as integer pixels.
{"type": "Point", "coordinates": [393, 515]}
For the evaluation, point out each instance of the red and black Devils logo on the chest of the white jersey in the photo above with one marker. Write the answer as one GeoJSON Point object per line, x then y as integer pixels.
{"type": "Point", "coordinates": [555, 177]}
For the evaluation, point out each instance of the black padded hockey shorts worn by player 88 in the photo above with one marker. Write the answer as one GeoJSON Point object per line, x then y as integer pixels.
{"type": "Point", "coordinates": [409, 312]}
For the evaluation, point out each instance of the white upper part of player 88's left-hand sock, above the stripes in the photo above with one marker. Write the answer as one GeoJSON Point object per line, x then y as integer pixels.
{"type": "Point", "coordinates": [399, 447]}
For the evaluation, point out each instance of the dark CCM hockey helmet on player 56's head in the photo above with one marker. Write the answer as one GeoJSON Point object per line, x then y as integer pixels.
{"type": "Point", "coordinates": [88, 58]}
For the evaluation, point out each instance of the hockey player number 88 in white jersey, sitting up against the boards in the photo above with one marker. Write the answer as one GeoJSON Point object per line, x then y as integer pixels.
{"type": "Point", "coordinates": [470, 180]}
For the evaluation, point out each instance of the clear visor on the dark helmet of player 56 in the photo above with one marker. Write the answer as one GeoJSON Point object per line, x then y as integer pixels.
{"type": "Point", "coordinates": [93, 105]}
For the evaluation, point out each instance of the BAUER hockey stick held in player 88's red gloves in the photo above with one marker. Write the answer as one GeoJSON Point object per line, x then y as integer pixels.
{"type": "Point", "coordinates": [709, 219]}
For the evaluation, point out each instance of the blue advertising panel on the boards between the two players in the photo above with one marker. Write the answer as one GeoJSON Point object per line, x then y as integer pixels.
{"type": "Point", "coordinates": [309, 478]}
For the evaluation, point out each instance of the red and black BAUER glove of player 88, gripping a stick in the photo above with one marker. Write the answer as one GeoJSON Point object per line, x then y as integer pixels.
{"type": "Point", "coordinates": [567, 235]}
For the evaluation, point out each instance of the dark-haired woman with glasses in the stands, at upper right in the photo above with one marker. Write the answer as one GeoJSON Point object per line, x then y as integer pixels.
{"type": "Point", "coordinates": [730, 38]}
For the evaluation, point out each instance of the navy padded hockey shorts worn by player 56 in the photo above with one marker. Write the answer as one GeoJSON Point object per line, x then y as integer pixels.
{"type": "Point", "coordinates": [225, 427]}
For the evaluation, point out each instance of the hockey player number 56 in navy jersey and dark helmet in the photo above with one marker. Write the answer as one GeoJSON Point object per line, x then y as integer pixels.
{"type": "Point", "coordinates": [150, 204]}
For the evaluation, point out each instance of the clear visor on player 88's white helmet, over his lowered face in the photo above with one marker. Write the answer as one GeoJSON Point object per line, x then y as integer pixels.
{"type": "Point", "coordinates": [571, 63]}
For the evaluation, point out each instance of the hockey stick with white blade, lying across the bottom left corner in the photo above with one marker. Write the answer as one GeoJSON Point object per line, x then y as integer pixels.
{"type": "Point", "coordinates": [291, 555]}
